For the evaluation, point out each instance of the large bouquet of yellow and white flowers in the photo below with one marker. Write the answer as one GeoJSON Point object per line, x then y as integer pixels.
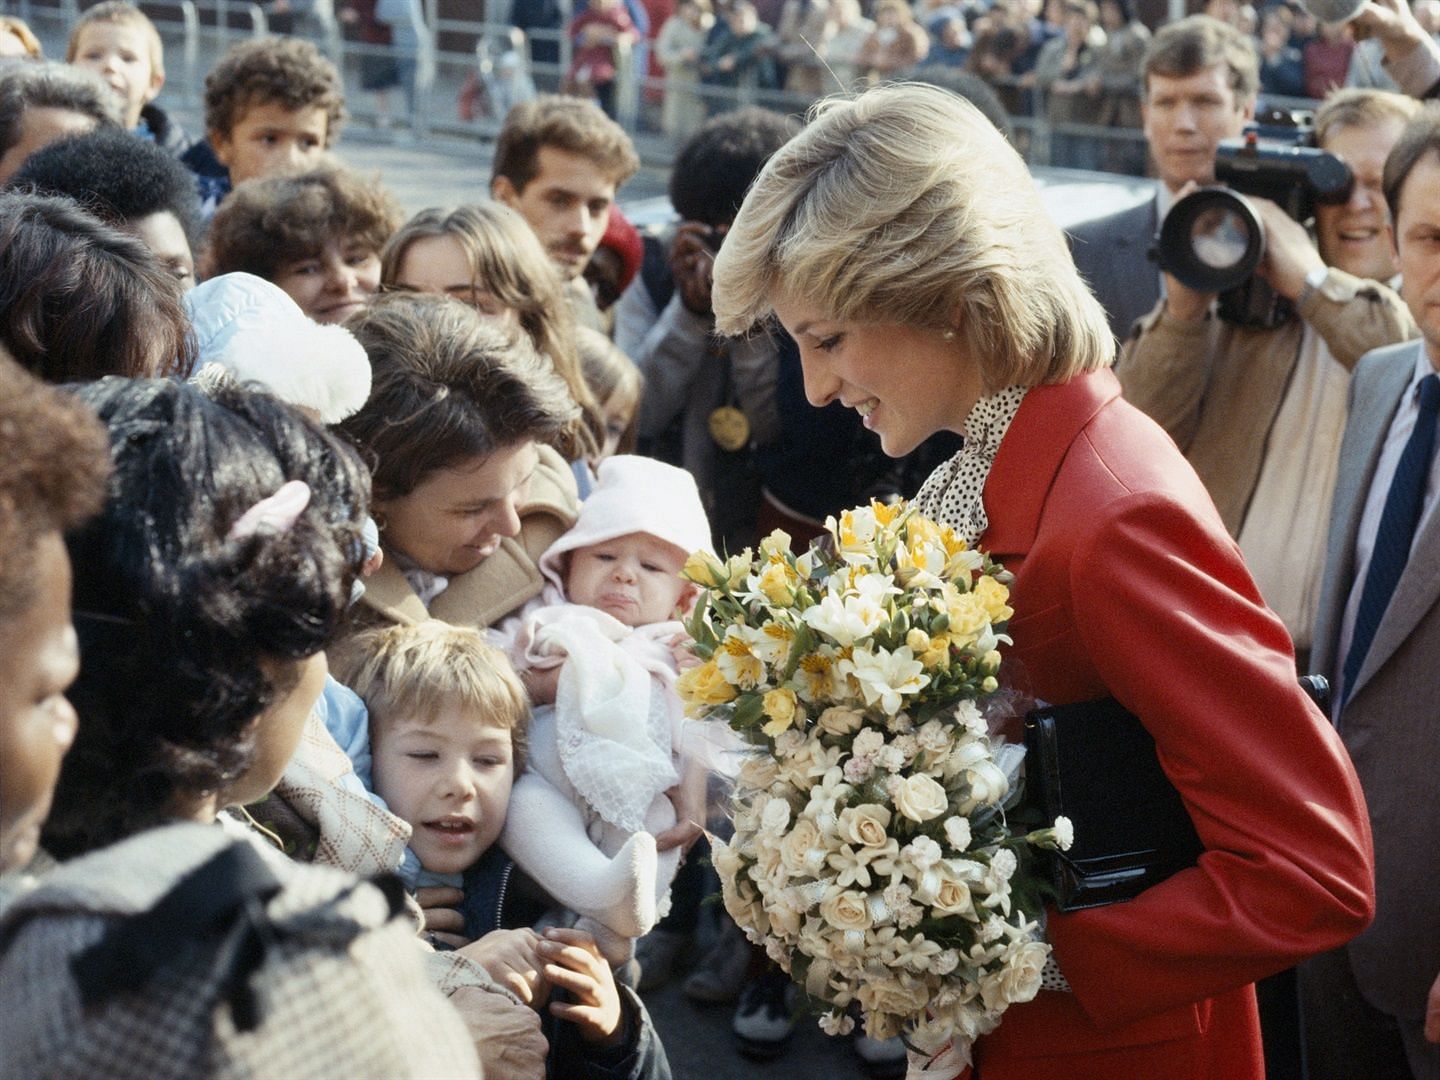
{"type": "Point", "coordinates": [872, 855]}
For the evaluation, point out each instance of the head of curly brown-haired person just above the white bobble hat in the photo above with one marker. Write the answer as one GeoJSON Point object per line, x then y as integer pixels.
{"type": "Point", "coordinates": [318, 235]}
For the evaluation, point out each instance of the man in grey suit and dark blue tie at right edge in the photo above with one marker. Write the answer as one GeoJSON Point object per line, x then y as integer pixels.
{"type": "Point", "coordinates": [1373, 1009]}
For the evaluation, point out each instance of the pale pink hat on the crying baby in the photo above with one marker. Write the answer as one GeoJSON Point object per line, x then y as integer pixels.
{"type": "Point", "coordinates": [636, 495]}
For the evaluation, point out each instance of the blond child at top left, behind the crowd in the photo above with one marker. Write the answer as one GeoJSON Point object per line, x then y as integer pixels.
{"type": "Point", "coordinates": [119, 42]}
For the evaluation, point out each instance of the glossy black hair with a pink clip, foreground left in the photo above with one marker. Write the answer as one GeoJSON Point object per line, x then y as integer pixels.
{"type": "Point", "coordinates": [176, 620]}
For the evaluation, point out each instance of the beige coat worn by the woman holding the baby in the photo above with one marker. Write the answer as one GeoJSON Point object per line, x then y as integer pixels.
{"type": "Point", "coordinates": [499, 585]}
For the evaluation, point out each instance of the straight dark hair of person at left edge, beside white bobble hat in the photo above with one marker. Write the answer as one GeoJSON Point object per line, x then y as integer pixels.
{"type": "Point", "coordinates": [81, 300]}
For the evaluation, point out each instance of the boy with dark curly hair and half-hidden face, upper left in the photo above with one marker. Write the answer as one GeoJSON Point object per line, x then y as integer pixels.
{"type": "Point", "coordinates": [271, 106]}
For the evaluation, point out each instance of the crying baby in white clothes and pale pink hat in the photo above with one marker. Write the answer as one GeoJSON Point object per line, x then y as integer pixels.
{"type": "Point", "coordinates": [600, 650]}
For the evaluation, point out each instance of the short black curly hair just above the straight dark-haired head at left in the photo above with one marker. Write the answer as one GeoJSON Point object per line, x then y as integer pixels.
{"type": "Point", "coordinates": [117, 178]}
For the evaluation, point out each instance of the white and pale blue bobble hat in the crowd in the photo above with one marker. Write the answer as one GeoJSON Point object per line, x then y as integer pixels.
{"type": "Point", "coordinates": [257, 333]}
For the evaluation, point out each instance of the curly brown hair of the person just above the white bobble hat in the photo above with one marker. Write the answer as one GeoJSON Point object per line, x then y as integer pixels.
{"type": "Point", "coordinates": [280, 220]}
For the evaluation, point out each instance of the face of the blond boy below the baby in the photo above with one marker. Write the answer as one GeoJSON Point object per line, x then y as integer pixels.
{"type": "Point", "coordinates": [450, 777]}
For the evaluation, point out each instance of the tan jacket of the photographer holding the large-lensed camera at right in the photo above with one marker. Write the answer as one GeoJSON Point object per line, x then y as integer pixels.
{"type": "Point", "coordinates": [1218, 388]}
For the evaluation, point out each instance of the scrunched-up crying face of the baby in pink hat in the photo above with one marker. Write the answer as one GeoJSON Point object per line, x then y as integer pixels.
{"type": "Point", "coordinates": [636, 578]}
